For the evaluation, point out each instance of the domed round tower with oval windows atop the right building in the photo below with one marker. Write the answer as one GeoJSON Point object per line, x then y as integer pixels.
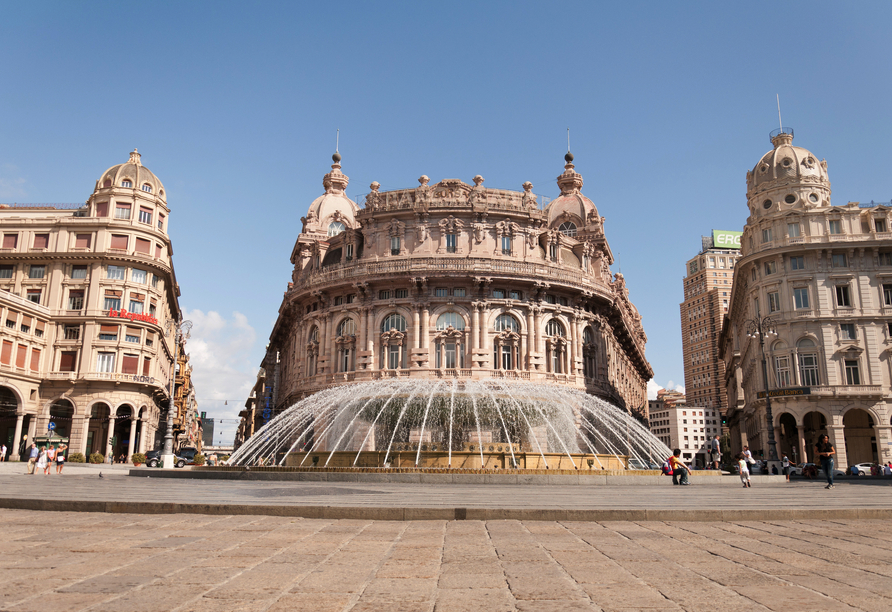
{"type": "Point", "coordinates": [787, 178]}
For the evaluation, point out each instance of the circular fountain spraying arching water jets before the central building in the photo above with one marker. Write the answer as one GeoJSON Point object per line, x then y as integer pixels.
{"type": "Point", "coordinates": [486, 424]}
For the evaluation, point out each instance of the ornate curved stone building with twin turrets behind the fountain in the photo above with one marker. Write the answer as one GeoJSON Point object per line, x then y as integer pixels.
{"type": "Point", "coordinates": [451, 280]}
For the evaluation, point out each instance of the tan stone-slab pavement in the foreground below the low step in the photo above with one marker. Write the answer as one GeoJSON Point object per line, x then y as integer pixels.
{"type": "Point", "coordinates": [189, 563]}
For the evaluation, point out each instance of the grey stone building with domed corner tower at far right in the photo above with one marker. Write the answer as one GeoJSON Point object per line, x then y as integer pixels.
{"type": "Point", "coordinates": [823, 275]}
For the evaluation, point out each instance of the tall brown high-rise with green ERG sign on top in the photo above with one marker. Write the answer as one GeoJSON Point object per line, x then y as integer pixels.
{"type": "Point", "coordinates": [707, 291]}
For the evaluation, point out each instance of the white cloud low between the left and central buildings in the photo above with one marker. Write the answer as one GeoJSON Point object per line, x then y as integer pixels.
{"type": "Point", "coordinates": [222, 355]}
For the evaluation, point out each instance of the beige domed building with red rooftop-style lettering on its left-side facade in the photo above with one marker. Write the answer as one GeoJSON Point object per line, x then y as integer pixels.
{"type": "Point", "coordinates": [85, 293]}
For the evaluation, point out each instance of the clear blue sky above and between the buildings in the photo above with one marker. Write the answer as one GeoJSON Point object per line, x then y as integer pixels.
{"type": "Point", "coordinates": [234, 105]}
